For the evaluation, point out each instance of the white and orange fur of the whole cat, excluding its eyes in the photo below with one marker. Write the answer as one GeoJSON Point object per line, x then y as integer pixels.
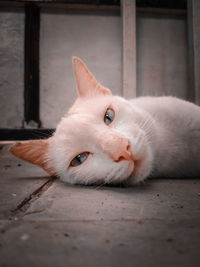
{"type": "Point", "coordinates": [158, 136]}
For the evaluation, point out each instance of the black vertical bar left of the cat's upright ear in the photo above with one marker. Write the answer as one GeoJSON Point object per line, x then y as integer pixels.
{"type": "Point", "coordinates": [31, 66]}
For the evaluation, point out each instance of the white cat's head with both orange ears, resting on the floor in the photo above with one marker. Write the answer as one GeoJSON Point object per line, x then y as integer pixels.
{"type": "Point", "coordinates": [99, 140]}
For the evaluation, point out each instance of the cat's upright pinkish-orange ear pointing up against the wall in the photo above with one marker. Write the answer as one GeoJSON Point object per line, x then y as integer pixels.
{"type": "Point", "coordinates": [86, 83]}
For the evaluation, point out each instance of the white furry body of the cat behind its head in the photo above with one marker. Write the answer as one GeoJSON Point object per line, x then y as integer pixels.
{"type": "Point", "coordinates": [175, 135]}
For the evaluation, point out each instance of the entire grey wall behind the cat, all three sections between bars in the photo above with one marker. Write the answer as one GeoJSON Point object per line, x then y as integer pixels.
{"type": "Point", "coordinates": [97, 40]}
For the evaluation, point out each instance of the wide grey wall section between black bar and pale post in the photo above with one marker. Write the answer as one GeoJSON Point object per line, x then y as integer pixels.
{"type": "Point", "coordinates": [95, 39]}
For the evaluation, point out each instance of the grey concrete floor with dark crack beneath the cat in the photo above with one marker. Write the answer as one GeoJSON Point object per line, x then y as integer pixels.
{"type": "Point", "coordinates": [44, 222]}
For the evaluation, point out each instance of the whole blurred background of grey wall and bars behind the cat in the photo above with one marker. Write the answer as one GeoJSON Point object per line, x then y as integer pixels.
{"type": "Point", "coordinates": [135, 48]}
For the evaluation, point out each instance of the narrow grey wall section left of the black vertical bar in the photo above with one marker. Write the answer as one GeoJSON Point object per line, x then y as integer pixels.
{"type": "Point", "coordinates": [11, 67]}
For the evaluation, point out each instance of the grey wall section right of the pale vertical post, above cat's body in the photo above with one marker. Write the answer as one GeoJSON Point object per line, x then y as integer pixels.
{"type": "Point", "coordinates": [162, 56]}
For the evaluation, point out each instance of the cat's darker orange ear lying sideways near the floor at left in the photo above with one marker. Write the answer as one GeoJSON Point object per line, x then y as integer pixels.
{"type": "Point", "coordinates": [34, 152]}
